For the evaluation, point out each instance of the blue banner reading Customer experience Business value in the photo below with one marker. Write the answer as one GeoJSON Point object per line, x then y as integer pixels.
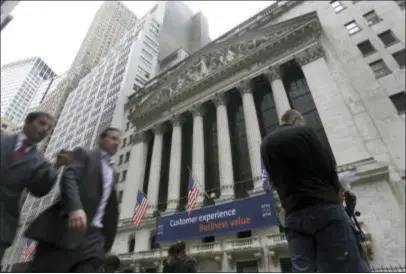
{"type": "Point", "coordinates": [246, 214]}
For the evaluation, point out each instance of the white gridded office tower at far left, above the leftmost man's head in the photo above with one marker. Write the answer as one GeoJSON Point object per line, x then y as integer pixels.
{"type": "Point", "coordinates": [19, 84]}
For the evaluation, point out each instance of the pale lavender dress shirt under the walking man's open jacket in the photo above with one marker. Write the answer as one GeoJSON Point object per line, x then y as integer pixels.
{"type": "Point", "coordinates": [107, 165]}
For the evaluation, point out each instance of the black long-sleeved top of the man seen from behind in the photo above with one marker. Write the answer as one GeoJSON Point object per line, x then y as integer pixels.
{"type": "Point", "coordinates": [301, 167]}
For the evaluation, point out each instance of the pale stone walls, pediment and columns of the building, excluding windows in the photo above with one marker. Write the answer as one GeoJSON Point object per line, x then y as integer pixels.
{"type": "Point", "coordinates": [363, 128]}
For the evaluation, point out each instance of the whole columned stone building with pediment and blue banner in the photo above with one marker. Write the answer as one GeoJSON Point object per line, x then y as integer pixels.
{"type": "Point", "coordinates": [210, 112]}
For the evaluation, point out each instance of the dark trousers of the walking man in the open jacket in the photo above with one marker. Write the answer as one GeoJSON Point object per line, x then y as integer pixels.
{"type": "Point", "coordinates": [88, 257]}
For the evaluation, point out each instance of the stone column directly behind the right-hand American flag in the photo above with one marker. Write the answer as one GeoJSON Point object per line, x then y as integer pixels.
{"type": "Point", "coordinates": [198, 149]}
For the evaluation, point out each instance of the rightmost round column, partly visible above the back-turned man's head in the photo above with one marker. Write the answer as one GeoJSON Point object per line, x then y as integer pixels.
{"type": "Point", "coordinates": [279, 94]}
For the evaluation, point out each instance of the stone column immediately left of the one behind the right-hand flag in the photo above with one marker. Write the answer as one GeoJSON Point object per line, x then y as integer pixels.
{"type": "Point", "coordinates": [175, 164]}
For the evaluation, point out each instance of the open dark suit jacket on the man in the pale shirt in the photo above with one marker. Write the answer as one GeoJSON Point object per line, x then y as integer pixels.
{"type": "Point", "coordinates": [81, 188]}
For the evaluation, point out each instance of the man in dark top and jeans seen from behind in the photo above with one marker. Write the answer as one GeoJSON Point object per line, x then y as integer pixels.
{"type": "Point", "coordinates": [303, 171]}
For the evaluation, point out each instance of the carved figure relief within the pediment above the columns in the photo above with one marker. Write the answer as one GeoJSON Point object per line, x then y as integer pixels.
{"type": "Point", "coordinates": [215, 57]}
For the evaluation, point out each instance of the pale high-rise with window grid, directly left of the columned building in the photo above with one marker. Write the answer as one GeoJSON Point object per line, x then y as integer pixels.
{"type": "Point", "coordinates": [97, 102]}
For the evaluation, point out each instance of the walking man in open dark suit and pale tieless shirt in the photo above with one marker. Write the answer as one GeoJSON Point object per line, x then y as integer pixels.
{"type": "Point", "coordinates": [75, 234]}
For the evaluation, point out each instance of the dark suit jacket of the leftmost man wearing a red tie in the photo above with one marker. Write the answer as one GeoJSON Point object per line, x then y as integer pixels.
{"type": "Point", "coordinates": [32, 171]}
